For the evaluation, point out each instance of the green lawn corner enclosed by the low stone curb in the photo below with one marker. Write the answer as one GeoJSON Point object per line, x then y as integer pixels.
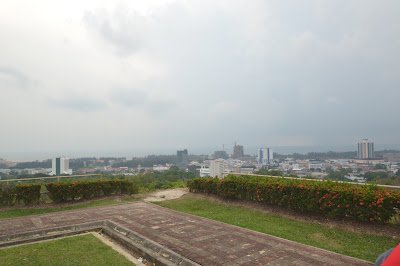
{"type": "Point", "coordinates": [74, 251]}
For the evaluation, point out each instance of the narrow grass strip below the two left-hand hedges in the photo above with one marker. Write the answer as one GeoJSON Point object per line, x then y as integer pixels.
{"type": "Point", "coordinates": [17, 212]}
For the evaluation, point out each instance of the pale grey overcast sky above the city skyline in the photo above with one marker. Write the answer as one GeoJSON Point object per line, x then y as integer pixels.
{"type": "Point", "coordinates": [163, 75]}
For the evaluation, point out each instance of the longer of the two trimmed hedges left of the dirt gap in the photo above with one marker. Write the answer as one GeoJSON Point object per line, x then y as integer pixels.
{"type": "Point", "coordinates": [63, 192]}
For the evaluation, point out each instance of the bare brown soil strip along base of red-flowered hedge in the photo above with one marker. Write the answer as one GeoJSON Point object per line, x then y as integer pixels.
{"type": "Point", "coordinates": [388, 230]}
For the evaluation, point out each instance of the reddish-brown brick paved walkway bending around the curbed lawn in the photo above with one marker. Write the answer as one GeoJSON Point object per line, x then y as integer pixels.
{"type": "Point", "coordinates": [201, 240]}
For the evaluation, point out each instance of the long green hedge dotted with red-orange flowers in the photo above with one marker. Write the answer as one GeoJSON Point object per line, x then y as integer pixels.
{"type": "Point", "coordinates": [326, 198]}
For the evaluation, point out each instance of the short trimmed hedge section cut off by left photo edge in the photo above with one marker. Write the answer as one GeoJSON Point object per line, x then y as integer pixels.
{"type": "Point", "coordinates": [27, 193]}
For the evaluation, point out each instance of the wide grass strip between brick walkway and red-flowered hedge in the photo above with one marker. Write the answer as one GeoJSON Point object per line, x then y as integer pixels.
{"type": "Point", "coordinates": [363, 246]}
